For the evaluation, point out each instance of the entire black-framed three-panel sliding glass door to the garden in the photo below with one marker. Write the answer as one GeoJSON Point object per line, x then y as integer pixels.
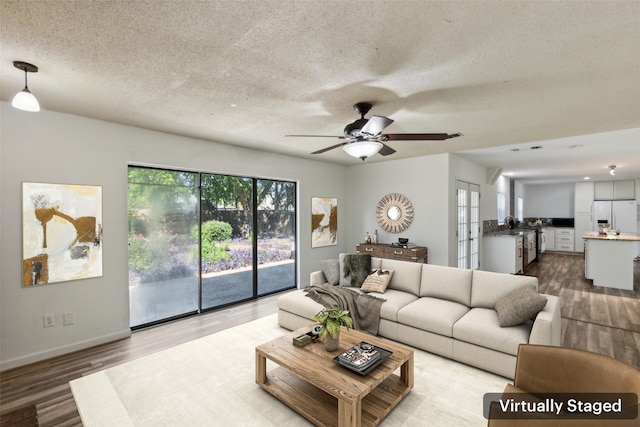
{"type": "Point", "coordinates": [201, 241]}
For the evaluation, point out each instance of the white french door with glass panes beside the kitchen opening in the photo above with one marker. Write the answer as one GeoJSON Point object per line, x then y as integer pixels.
{"type": "Point", "coordinates": [468, 225]}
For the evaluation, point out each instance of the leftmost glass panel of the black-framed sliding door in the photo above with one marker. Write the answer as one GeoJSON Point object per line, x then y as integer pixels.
{"type": "Point", "coordinates": [163, 267]}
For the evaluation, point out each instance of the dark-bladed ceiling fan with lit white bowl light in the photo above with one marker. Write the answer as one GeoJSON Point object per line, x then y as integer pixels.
{"type": "Point", "coordinates": [364, 138]}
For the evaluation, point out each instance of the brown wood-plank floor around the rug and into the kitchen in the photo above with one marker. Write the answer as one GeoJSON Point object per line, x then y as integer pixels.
{"type": "Point", "coordinates": [39, 394]}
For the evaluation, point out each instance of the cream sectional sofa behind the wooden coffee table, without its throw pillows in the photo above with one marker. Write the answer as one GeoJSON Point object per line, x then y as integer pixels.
{"type": "Point", "coordinates": [447, 311]}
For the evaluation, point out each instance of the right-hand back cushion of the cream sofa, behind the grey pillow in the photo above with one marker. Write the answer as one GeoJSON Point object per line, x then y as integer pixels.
{"type": "Point", "coordinates": [488, 287]}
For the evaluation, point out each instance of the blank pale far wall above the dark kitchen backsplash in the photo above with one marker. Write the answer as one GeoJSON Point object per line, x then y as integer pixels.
{"type": "Point", "coordinates": [549, 200]}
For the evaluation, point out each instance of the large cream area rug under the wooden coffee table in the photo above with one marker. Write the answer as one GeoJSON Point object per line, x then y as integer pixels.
{"type": "Point", "coordinates": [211, 382]}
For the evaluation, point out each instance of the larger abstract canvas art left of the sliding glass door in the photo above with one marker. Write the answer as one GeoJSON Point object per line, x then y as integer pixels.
{"type": "Point", "coordinates": [62, 233]}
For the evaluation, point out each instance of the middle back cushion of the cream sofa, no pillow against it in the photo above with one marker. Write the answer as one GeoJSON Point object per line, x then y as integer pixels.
{"type": "Point", "coordinates": [450, 283]}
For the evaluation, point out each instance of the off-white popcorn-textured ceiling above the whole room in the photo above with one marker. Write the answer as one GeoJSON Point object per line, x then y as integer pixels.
{"type": "Point", "coordinates": [246, 73]}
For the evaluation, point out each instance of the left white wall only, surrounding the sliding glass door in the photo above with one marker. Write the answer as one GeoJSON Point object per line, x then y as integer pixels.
{"type": "Point", "coordinates": [60, 148]}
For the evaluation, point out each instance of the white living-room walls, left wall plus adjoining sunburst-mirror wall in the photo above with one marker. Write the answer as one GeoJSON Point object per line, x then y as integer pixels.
{"type": "Point", "coordinates": [60, 148]}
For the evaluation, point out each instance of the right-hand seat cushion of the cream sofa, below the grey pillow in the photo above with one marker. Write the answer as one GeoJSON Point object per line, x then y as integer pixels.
{"type": "Point", "coordinates": [480, 327]}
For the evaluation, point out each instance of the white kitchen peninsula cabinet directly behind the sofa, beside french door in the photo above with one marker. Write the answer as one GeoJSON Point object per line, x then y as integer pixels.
{"type": "Point", "coordinates": [503, 253]}
